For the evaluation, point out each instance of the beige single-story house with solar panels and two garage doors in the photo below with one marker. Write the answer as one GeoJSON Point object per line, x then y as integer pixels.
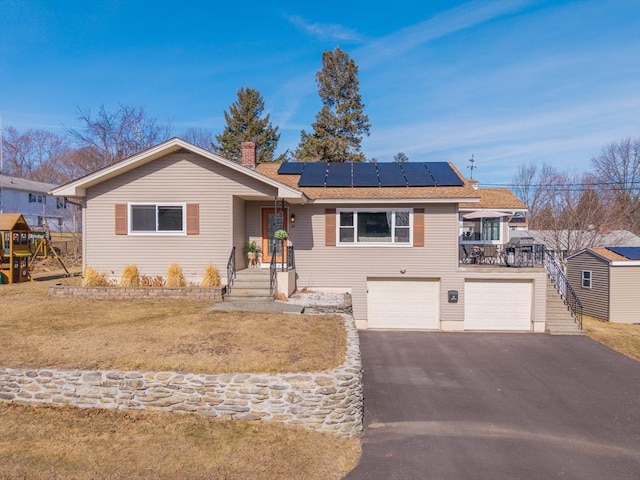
{"type": "Point", "coordinates": [386, 233]}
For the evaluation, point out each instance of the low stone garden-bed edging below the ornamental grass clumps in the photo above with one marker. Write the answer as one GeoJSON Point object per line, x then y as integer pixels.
{"type": "Point", "coordinates": [208, 293]}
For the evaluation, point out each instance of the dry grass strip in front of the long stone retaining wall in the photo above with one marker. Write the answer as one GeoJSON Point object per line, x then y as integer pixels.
{"type": "Point", "coordinates": [68, 443]}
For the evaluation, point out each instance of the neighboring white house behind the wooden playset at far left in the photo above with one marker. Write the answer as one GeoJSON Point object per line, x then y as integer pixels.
{"type": "Point", "coordinates": [37, 206]}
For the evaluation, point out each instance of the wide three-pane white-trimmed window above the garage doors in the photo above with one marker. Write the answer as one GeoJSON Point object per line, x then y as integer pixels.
{"type": "Point", "coordinates": [374, 227]}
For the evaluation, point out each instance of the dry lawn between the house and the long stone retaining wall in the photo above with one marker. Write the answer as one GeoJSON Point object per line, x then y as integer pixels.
{"type": "Point", "coordinates": [38, 331]}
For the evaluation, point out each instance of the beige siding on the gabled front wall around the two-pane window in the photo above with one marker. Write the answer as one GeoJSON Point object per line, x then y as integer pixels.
{"type": "Point", "coordinates": [179, 177]}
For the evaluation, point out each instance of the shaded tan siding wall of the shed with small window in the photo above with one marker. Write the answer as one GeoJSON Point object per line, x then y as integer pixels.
{"type": "Point", "coordinates": [595, 300]}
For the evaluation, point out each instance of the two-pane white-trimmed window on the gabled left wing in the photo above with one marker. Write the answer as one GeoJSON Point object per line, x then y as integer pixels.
{"type": "Point", "coordinates": [161, 218]}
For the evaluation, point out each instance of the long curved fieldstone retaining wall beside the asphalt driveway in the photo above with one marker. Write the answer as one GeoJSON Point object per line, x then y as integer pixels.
{"type": "Point", "coordinates": [330, 402]}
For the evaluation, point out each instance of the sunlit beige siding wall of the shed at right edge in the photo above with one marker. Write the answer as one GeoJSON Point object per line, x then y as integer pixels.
{"type": "Point", "coordinates": [624, 288]}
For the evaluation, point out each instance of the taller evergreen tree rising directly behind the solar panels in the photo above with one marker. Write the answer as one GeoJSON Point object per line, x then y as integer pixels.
{"type": "Point", "coordinates": [341, 122]}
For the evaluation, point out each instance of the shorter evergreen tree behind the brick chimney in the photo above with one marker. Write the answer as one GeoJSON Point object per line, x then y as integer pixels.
{"type": "Point", "coordinates": [246, 124]}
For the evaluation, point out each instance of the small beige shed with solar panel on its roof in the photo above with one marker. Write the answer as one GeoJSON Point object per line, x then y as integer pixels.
{"type": "Point", "coordinates": [607, 282]}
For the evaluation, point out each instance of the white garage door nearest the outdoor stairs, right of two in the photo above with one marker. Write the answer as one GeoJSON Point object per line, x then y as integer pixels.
{"type": "Point", "coordinates": [497, 305]}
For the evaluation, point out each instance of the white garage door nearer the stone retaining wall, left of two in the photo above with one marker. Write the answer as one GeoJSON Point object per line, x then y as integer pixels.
{"type": "Point", "coordinates": [400, 303]}
